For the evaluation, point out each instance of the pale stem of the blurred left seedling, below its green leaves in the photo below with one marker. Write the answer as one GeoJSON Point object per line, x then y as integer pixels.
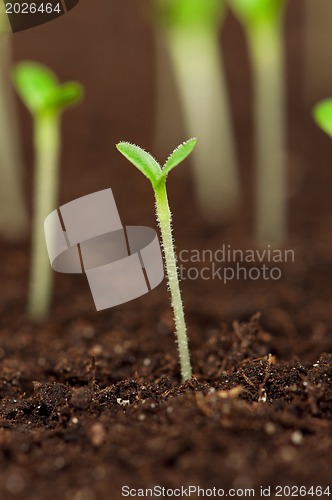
{"type": "Point", "coordinates": [46, 140]}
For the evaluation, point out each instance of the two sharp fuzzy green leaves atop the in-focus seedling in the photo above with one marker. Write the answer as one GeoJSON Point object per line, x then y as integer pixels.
{"type": "Point", "coordinates": [149, 166]}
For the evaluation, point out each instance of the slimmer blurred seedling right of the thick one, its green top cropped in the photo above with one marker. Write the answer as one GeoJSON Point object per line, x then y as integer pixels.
{"type": "Point", "coordinates": [263, 22]}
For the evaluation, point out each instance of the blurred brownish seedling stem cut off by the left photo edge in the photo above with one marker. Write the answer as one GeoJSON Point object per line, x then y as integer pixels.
{"type": "Point", "coordinates": [13, 214]}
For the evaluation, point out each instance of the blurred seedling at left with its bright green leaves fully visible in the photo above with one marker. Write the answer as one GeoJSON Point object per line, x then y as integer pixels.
{"type": "Point", "coordinates": [45, 98]}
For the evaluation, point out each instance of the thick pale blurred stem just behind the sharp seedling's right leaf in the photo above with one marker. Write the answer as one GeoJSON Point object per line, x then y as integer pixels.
{"type": "Point", "coordinates": [199, 74]}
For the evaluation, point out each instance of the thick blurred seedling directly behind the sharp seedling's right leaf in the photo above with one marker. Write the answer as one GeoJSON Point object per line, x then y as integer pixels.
{"type": "Point", "coordinates": [190, 29]}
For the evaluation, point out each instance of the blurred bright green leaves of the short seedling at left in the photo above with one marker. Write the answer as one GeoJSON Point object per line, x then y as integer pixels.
{"type": "Point", "coordinates": [40, 90]}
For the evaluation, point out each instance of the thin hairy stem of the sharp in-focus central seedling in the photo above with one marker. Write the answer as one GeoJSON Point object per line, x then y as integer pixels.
{"type": "Point", "coordinates": [165, 220]}
